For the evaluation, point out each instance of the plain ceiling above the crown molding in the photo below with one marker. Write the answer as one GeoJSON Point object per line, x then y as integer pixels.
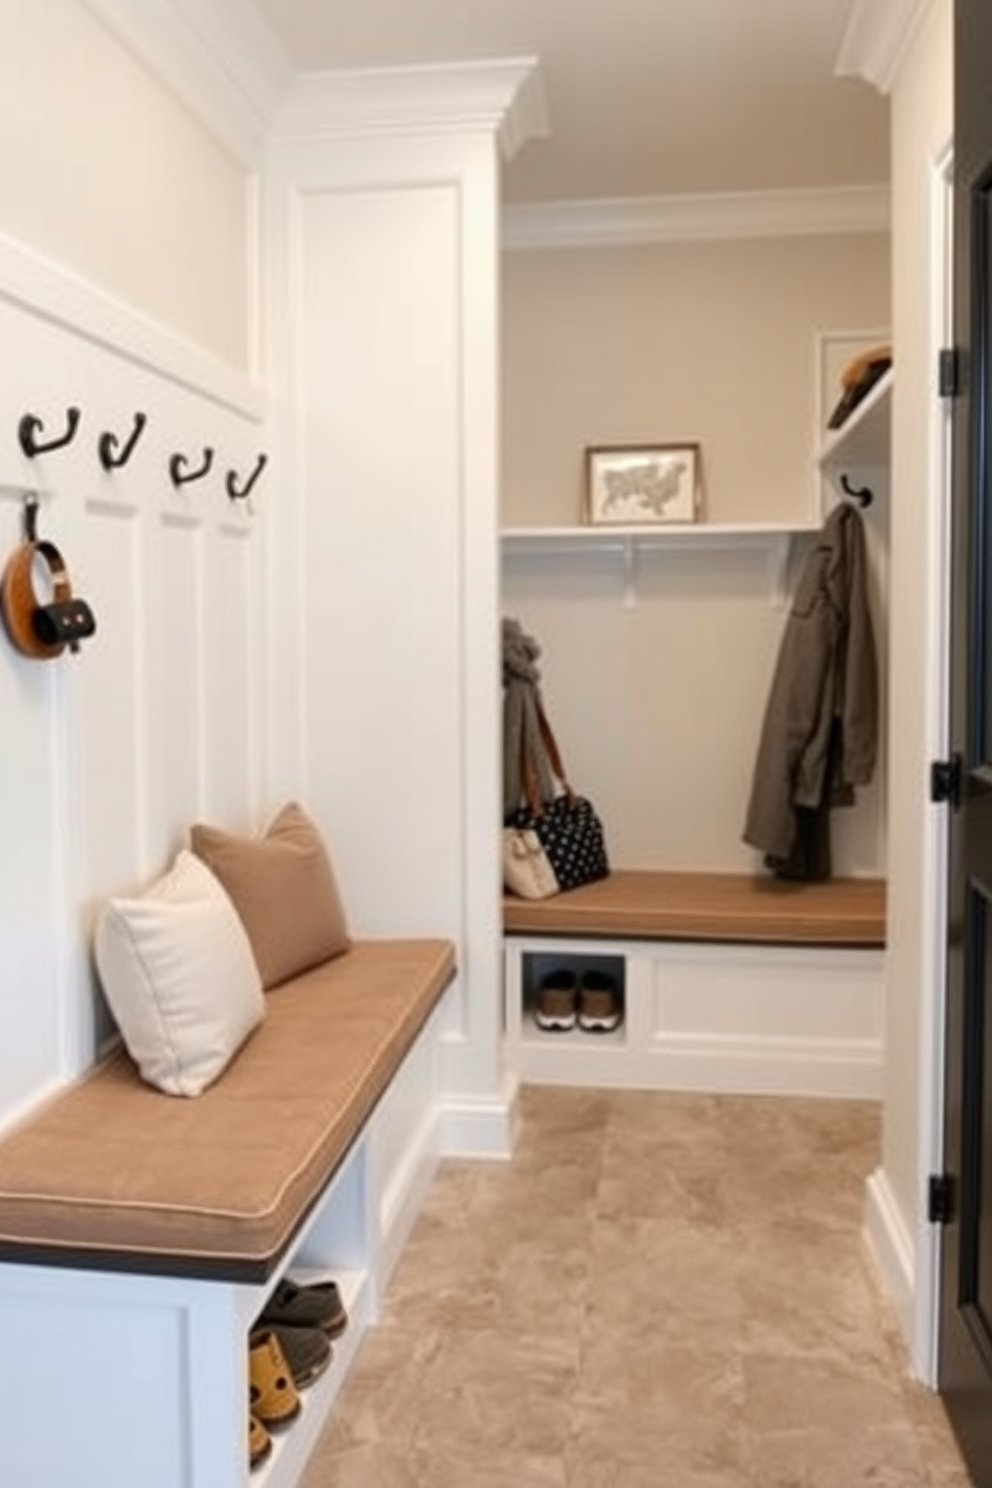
{"type": "Point", "coordinates": [646, 97]}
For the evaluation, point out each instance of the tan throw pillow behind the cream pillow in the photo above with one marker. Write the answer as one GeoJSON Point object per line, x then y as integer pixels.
{"type": "Point", "coordinates": [283, 888]}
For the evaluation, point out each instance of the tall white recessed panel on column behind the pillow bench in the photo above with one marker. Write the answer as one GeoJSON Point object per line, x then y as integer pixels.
{"type": "Point", "coordinates": [381, 571]}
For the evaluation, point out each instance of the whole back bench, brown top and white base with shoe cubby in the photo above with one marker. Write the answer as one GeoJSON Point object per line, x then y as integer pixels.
{"type": "Point", "coordinates": [731, 983]}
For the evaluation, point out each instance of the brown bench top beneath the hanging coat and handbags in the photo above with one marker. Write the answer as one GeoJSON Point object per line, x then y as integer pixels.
{"type": "Point", "coordinates": [634, 905]}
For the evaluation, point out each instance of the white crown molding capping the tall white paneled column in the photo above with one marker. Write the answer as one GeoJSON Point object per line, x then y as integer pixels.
{"type": "Point", "coordinates": [502, 97]}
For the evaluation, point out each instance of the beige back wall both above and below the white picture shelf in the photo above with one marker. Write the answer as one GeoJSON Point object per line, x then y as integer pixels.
{"type": "Point", "coordinates": [660, 702]}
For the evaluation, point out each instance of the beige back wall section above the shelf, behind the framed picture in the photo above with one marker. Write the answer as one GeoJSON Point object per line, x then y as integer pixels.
{"type": "Point", "coordinates": [700, 341]}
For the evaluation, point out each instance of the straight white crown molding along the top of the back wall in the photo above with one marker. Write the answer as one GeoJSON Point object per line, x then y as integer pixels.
{"type": "Point", "coordinates": [694, 219]}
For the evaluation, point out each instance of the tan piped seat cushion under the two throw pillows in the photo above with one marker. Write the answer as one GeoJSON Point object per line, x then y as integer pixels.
{"type": "Point", "coordinates": [112, 1173]}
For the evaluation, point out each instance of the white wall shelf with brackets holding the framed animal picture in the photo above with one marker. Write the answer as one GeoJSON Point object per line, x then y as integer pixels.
{"type": "Point", "coordinates": [627, 542]}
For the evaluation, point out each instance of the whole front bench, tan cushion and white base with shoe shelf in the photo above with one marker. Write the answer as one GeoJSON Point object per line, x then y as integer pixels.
{"type": "Point", "coordinates": [142, 1234]}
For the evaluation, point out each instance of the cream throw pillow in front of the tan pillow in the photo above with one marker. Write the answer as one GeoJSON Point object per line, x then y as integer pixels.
{"type": "Point", "coordinates": [179, 975]}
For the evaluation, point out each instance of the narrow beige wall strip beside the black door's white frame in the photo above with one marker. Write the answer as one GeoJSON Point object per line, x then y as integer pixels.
{"type": "Point", "coordinates": [923, 123]}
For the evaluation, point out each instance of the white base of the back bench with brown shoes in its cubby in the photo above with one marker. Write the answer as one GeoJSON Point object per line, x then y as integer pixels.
{"type": "Point", "coordinates": [747, 1020]}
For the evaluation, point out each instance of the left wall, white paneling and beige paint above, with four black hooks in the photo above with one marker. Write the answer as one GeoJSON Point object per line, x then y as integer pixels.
{"type": "Point", "coordinates": [124, 288]}
